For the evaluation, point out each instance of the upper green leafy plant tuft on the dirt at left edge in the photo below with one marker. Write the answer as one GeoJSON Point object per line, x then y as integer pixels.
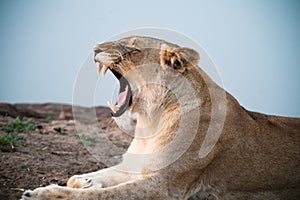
{"type": "Point", "coordinates": [18, 126]}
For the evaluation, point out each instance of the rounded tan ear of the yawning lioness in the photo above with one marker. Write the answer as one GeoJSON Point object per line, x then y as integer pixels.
{"type": "Point", "coordinates": [180, 59]}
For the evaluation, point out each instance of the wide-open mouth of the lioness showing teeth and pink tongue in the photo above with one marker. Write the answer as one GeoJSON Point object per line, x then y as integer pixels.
{"type": "Point", "coordinates": [124, 98]}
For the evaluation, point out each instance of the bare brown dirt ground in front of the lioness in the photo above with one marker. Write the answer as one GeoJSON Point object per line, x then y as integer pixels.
{"type": "Point", "coordinates": [54, 150]}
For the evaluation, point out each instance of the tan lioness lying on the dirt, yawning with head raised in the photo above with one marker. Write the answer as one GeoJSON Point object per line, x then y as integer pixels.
{"type": "Point", "coordinates": [192, 139]}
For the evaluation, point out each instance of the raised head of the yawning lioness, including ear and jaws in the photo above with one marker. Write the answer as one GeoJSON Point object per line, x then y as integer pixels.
{"type": "Point", "coordinates": [144, 67]}
